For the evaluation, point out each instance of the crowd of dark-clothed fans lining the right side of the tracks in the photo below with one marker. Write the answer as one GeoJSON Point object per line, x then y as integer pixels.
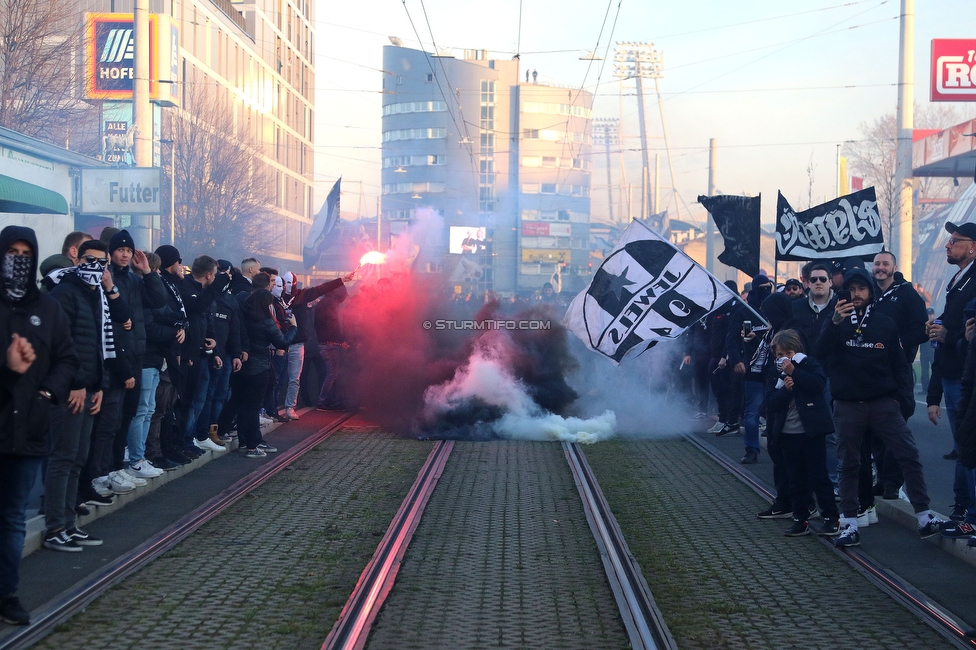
{"type": "Point", "coordinates": [828, 360]}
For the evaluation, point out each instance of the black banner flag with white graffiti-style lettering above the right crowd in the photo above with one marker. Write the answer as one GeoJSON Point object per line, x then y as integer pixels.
{"type": "Point", "coordinates": [848, 226]}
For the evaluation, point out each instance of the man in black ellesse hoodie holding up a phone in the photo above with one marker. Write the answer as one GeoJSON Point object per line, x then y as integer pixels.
{"type": "Point", "coordinates": [871, 384]}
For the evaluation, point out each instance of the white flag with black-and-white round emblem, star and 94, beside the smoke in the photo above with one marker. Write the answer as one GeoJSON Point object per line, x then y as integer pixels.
{"type": "Point", "coordinates": [644, 291]}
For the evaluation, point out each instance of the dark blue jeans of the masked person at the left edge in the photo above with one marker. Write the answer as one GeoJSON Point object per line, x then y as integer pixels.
{"type": "Point", "coordinates": [17, 476]}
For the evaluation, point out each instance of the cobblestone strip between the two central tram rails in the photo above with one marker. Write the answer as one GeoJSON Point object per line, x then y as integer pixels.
{"type": "Point", "coordinates": [503, 557]}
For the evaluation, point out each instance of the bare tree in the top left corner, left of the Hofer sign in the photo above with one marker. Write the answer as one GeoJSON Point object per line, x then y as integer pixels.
{"type": "Point", "coordinates": [40, 90]}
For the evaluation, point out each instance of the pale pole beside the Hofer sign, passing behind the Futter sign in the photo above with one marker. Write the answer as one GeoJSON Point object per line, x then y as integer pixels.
{"type": "Point", "coordinates": [142, 115]}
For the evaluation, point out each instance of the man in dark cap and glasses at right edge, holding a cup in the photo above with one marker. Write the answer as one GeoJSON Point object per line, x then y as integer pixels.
{"type": "Point", "coordinates": [947, 338]}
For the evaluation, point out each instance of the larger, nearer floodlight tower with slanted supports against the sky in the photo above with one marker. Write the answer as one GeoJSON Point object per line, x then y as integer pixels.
{"type": "Point", "coordinates": [638, 61]}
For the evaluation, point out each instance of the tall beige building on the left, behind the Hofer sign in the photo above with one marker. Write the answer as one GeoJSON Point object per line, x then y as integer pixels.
{"type": "Point", "coordinates": [257, 56]}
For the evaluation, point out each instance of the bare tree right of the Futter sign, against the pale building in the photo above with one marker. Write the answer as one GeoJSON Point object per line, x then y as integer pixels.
{"type": "Point", "coordinates": [224, 190]}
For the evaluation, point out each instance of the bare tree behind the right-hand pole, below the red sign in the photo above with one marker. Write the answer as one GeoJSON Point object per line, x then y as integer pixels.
{"type": "Point", "coordinates": [873, 158]}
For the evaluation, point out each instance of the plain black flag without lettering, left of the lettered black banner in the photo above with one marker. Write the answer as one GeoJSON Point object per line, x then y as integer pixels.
{"type": "Point", "coordinates": [737, 218]}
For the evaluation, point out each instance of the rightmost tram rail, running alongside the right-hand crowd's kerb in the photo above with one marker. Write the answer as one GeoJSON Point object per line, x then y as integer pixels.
{"type": "Point", "coordinates": [949, 626]}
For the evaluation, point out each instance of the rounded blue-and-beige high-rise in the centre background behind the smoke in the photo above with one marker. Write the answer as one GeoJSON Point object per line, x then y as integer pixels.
{"type": "Point", "coordinates": [472, 141]}
